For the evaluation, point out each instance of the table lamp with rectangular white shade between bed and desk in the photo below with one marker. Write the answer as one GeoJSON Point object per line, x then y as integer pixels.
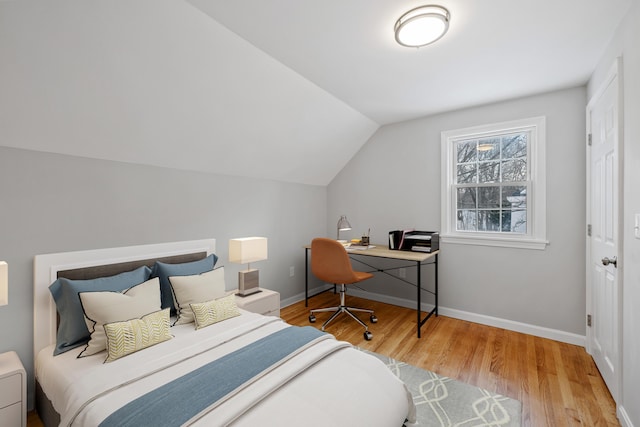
{"type": "Point", "coordinates": [246, 250]}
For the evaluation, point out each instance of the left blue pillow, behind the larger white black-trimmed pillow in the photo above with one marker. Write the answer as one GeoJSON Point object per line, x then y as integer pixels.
{"type": "Point", "coordinates": [72, 330]}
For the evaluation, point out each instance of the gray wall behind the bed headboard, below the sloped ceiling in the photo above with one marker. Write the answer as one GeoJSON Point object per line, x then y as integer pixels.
{"type": "Point", "coordinates": [55, 203]}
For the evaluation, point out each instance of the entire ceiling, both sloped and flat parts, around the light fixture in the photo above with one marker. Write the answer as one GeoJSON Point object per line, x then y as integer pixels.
{"type": "Point", "coordinates": [277, 89]}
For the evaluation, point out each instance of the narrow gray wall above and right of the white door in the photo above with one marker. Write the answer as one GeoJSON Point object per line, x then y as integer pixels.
{"type": "Point", "coordinates": [625, 44]}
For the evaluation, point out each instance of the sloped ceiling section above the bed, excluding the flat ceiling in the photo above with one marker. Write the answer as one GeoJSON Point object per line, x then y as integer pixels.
{"type": "Point", "coordinates": [158, 82]}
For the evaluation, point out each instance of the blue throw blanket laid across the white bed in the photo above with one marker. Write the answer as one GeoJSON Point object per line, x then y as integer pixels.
{"type": "Point", "coordinates": [183, 398]}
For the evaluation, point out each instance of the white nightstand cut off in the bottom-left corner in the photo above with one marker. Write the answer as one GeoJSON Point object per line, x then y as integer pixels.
{"type": "Point", "coordinates": [13, 391]}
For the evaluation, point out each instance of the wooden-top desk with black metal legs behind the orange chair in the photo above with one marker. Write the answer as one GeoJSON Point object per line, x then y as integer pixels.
{"type": "Point", "coordinates": [417, 259]}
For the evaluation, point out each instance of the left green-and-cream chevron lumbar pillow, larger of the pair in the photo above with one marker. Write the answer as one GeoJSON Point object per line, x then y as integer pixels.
{"type": "Point", "coordinates": [124, 338]}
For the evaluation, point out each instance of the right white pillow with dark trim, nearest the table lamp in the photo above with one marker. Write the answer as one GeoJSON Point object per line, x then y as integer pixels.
{"type": "Point", "coordinates": [195, 289]}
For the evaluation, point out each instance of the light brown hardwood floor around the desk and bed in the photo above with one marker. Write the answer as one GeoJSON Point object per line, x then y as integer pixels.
{"type": "Point", "coordinates": [558, 384]}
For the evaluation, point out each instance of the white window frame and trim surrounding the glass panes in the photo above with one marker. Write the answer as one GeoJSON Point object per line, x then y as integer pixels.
{"type": "Point", "coordinates": [535, 238]}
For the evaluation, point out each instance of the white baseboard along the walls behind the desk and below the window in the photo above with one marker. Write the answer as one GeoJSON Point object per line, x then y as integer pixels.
{"type": "Point", "coordinates": [482, 319]}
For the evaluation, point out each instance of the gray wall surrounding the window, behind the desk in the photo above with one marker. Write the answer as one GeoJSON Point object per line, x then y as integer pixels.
{"type": "Point", "coordinates": [394, 182]}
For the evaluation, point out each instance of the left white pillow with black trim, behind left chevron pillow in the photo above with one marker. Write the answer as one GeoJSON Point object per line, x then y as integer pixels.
{"type": "Point", "coordinates": [109, 307]}
